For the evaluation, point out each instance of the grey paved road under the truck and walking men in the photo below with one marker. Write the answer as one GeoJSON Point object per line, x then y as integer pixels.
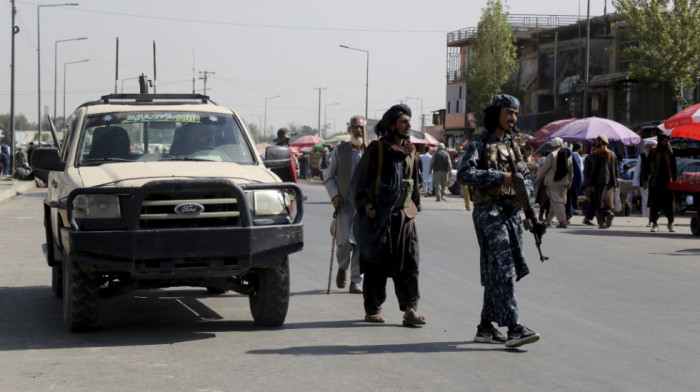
{"type": "Point", "coordinates": [617, 310]}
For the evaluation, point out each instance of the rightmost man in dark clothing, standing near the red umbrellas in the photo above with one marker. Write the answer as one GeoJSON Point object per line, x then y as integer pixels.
{"type": "Point", "coordinates": [661, 170]}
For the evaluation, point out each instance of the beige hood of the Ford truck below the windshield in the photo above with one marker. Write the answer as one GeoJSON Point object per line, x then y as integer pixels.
{"type": "Point", "coordinates": [135, 174]}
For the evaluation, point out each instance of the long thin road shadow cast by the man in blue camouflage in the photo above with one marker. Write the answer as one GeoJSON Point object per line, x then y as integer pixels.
{"type": "Point", "coordinates": [428, 347]}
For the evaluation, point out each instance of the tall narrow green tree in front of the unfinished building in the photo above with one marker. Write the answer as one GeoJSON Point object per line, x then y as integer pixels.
{"type": "Point", "coordinates": [495, 57]}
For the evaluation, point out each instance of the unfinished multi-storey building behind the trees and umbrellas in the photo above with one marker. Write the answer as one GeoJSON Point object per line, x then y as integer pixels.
{"type": "Point", "coordinates": [551, 74]}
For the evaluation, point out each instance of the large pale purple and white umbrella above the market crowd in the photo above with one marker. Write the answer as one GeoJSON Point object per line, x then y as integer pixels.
{"type": "Point", "coordinates": [588, 129]}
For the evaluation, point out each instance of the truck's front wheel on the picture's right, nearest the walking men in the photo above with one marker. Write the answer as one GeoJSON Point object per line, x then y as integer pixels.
{"type": "Point", "coordinates": [269, 298]}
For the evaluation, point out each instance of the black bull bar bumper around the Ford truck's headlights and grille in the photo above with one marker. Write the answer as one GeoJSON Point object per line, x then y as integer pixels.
{"type": "Point", "coordinates": [184, 251]}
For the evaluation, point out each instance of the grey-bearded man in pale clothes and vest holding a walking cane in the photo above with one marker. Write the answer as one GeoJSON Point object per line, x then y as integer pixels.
{"type": "Point", "coordinates": [337, 178]}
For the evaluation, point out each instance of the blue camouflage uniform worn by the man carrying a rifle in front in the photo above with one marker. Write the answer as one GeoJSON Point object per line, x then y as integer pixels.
{"type": "Point", "coordinates": [498, 225]}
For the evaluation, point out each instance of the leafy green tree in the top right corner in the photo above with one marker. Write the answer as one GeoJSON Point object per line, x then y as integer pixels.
{"type": "Point", "coordinates": [668, 49]}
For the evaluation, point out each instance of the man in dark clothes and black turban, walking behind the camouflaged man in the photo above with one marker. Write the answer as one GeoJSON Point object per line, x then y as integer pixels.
{"type": "Point", "coordinates": [387, 199]}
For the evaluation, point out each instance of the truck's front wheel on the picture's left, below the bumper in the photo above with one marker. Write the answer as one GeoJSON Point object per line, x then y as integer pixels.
{"type": "Point", "coordinates": [81, 298]}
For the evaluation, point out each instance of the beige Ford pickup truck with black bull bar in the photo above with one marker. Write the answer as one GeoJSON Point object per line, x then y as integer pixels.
{"type": "Point", "coordinates": [149, 191]}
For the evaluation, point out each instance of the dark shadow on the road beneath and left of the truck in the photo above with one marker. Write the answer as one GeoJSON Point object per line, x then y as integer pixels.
{"type": "Point", "coordinates": [32, 318]}
